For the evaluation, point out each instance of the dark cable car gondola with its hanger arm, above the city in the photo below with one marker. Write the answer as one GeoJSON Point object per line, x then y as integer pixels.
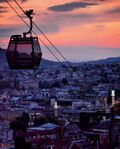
{"type": "Point", "coordinates": [24, 52]}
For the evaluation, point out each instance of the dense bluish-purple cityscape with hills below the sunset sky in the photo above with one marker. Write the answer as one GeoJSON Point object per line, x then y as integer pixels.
{"type": "Point", "coordinates": [57, 107]}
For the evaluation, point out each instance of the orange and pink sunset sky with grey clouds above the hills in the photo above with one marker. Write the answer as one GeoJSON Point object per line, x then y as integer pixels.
{"type": "Point", "coordinates": [81, 29]}
